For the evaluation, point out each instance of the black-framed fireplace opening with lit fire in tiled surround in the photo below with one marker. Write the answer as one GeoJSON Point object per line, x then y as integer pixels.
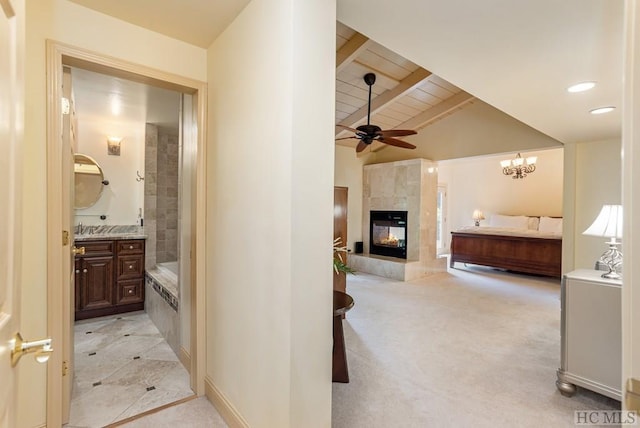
{"type": "Point", "coordinates": [388, 233]}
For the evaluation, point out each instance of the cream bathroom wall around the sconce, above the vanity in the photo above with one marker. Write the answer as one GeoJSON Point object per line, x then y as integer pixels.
{"type": "Point", "coordinates": [124, 196]}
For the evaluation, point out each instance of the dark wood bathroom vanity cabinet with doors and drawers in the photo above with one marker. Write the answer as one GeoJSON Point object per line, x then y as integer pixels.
{"type": "Point", "coordinates": [109, 278]}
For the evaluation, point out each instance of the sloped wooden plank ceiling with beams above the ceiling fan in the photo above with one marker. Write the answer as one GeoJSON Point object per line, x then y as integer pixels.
{"type": "Point", "coordinates": [404, 96]}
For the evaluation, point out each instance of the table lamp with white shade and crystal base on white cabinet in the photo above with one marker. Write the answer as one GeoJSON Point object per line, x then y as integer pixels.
{"type": "Point", "coordinates": [609, 224]}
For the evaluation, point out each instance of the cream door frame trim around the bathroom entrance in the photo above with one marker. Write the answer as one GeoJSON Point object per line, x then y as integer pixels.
{"type": "Point", "coordinates": [59, 295]}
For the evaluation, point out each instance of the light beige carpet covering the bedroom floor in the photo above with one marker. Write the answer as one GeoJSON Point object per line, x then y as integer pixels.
{"type": "Point", "coordinates": [473, 347]}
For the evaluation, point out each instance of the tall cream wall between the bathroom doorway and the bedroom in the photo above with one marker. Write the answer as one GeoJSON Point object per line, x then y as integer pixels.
{"type": "Point", "coordinates": [270, 205]}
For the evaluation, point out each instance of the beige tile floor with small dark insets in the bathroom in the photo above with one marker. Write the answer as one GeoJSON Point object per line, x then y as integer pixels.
{"type": "Point", "coordinates": [123, 367]}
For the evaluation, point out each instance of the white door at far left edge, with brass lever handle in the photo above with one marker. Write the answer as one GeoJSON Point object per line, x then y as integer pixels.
{"type": "Point", "coordinates": [11, 115]}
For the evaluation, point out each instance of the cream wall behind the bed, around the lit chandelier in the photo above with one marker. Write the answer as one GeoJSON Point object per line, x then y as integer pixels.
{"type": "Point", "coordinates": [478, 183]}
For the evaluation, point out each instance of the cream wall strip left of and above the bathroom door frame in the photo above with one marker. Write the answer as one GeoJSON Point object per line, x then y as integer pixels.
{"type": "Point", "coordinates": [75, 25]}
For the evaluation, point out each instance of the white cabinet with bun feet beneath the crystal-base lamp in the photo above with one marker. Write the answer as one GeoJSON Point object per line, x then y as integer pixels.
{"type": "Point", "coordinates": [591, 338]}
